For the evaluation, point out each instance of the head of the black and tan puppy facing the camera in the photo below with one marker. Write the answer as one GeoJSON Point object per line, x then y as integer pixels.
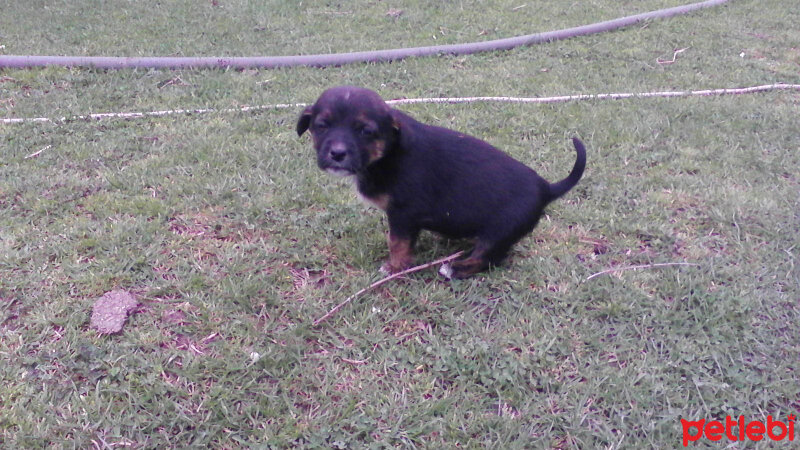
{"type": "Point", "coordinates": [351, 128]}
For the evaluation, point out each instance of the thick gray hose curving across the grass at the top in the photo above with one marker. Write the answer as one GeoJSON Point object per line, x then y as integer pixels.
{"type": "Point", "coordinates": [338, 59]}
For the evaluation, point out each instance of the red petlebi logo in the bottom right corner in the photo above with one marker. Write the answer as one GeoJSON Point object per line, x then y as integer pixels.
{"type": "Point", "coordinates": [738, 430]}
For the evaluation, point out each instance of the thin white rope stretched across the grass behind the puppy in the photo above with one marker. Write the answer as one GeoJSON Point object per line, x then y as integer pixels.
{"type": "Point", "coordinates": [407, 101]}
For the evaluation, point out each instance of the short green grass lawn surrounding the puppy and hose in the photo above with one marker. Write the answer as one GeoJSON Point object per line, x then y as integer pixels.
{"type": "Point", "coordinates": [234, 242]}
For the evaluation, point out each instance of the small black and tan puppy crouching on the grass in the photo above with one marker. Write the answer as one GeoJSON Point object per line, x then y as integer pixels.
{"type": "Point", "coordinates": [430, 178]}
